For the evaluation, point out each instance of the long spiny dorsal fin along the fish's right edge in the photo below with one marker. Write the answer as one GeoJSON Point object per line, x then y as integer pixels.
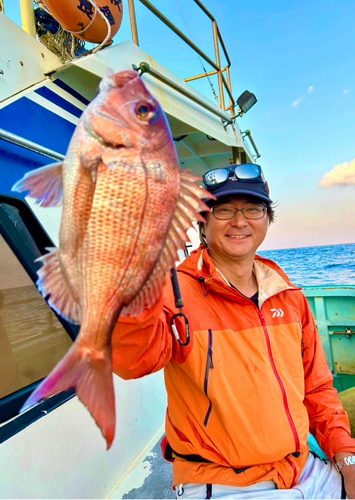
{"type": "Point", "coordinates": [188, 206]}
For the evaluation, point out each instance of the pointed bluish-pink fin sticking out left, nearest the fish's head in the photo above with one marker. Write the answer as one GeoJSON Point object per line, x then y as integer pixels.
{"type": "Point", "coordinates": [45, 184]}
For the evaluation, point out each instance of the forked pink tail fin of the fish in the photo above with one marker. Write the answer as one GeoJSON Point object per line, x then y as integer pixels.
{"type": "Point", "coordinates": [89, 372]}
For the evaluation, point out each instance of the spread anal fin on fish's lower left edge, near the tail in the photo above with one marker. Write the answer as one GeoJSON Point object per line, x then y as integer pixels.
{"type": "Point", "coordinates": [51, 282]}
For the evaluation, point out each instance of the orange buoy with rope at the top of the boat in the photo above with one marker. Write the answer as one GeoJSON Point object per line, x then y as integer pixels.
{"type": "Point", "coordinates": [84, 18]}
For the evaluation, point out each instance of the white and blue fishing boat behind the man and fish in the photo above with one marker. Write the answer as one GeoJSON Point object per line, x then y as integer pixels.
{"type": "Point", "coordinates": [55, 450]}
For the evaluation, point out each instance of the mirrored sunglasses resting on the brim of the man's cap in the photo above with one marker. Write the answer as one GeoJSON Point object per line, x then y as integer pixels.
{"type": "Point", "coordinates": [248, 172]}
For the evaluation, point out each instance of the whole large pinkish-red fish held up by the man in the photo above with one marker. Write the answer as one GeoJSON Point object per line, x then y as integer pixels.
{"type": "Point", "coordinates": [126, 207]}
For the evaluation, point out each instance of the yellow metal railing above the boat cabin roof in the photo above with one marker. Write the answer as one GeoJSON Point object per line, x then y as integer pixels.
{"type": "Point", "coordinates": [223, 83]}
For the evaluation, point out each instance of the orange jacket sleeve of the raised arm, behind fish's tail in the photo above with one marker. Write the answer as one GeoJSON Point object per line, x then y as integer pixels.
{"type": "Point", "coordinates": [144, 344]}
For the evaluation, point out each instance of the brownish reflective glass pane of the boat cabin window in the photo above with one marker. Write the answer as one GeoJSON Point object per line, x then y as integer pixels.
{"type": "Point", "coordinates": [32, 340]}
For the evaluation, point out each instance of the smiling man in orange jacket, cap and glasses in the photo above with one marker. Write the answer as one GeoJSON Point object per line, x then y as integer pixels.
{"type": "Point", "coordinates": [245, 392]}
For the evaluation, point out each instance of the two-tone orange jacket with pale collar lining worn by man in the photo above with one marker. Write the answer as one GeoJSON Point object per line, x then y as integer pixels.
{"type": "Point", "coordinates": [250, 385]}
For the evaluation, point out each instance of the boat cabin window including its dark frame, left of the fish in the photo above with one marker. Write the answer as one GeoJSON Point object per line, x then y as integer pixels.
{"type": "Point", "coordinates": [32, 337]}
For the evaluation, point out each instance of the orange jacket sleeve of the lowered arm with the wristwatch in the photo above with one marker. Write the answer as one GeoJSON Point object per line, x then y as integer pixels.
{"type": "Point", "coordinates": [329, 423]}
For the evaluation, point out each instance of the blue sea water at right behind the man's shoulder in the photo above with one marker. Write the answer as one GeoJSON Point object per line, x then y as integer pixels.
{"type": "Point", "coordinates": [316, 266]}
